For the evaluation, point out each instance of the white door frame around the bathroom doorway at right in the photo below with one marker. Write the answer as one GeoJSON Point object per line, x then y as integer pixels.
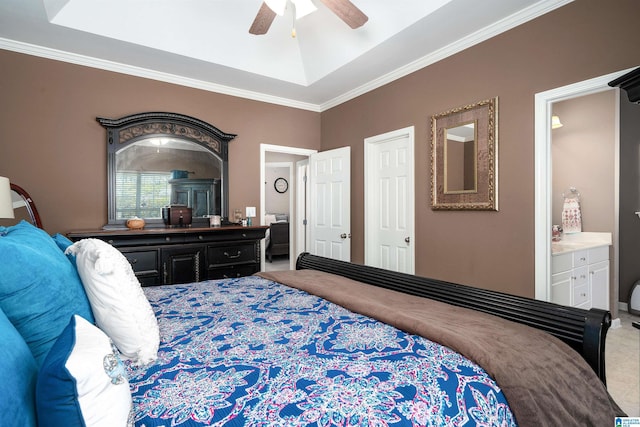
{"type": "Point", "coordinates": [543, 178]}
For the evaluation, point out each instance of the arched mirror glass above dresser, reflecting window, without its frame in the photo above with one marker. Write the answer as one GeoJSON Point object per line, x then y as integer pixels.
{"type": "Point", "coordinates": [155, 172]}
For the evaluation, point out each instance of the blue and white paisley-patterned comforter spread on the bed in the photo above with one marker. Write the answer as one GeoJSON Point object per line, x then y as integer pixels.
{"type": "Point", "coordinates": [252, 352]}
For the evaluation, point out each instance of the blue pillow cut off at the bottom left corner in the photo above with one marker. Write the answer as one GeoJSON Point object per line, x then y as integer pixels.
{"type": "Point", "coordinates": [18, 372]}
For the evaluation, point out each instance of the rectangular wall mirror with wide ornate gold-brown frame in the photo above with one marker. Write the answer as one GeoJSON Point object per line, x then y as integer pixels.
{"type": "Point", "coordinates": [464, 157]}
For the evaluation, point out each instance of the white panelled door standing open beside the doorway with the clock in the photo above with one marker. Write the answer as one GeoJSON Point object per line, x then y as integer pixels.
{"type": "Point", "coordinates": [330, 196]}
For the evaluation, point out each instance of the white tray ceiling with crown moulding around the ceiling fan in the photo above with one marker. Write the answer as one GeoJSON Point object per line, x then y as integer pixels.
{"type": "Point", "coordinates": [206, 43]}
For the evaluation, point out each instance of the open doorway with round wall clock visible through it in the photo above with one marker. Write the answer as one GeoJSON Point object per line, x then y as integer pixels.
{"type": "Point", "coordinates": [282, 194]}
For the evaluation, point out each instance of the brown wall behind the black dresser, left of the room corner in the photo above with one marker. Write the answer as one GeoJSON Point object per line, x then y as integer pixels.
{"type": "Point", "coordinates": [51, 144]}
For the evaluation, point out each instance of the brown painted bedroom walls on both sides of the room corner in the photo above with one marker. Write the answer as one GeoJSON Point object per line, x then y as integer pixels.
{"type": "Point", "coordinates": [51, 144]}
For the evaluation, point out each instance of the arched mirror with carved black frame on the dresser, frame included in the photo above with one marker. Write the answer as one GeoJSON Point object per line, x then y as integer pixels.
{"type": "Point", "coordinates": [157, 159]}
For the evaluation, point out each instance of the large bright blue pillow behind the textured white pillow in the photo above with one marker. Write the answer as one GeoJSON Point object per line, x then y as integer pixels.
{"type": "Point", "coordinates": [39, 288]}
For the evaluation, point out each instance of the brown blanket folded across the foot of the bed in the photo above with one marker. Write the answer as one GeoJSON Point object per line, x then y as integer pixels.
{"type": "Point", "coordinates": [545, 381]}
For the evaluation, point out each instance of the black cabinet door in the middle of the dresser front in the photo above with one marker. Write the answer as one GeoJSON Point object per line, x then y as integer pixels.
{"type": "Point", "coordinates": [182, 264]}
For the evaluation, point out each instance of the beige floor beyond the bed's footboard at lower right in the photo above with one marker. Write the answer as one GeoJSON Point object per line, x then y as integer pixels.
{"type": "Point", "coordinates": [622, 358]}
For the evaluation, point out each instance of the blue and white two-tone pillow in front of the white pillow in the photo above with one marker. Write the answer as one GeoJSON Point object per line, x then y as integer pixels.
{"type": "Point", "coordinates": [82, 381]}
